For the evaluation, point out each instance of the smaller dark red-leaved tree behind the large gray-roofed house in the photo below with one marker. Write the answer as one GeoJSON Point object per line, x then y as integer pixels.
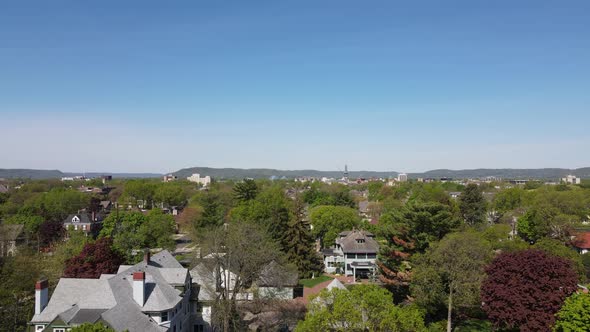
{"type": "Point", "coordinates": [95, 259]}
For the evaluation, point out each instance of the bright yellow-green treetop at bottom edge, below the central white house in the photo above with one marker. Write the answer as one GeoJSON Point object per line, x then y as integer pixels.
{"type": "Point", "coordinates": [364, 308]}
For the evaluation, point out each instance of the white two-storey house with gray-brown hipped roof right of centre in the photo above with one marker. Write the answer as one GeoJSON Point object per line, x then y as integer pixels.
{"type": "Point", "coordinates": [353, 254]}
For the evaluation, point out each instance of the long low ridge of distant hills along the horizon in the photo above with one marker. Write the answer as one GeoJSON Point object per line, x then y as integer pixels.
{"type": "Point", "coordinates": [260, 173]}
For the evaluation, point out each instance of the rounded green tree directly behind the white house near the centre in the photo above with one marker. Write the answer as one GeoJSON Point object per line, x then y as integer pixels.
{"type": "Point", "coordinates": [329, 221]}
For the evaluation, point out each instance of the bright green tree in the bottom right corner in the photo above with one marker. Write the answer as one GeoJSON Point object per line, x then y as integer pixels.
{"type": "Point", "coordinates": [574, 315]}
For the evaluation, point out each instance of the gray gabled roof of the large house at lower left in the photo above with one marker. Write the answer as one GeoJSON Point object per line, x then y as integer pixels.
{"type": "Point", "coordinates": [110, 298]}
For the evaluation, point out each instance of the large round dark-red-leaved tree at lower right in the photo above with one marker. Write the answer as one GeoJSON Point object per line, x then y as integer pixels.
{"type": "Point", "coordinates": [525, 289]}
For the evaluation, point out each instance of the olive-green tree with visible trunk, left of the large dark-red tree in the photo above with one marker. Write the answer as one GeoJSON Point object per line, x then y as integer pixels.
{"type": "Point", "coordinates": [451, 273]}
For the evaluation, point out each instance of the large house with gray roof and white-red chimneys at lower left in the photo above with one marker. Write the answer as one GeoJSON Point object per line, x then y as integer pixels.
{"type": "Point", "coordinates": [153, 295]}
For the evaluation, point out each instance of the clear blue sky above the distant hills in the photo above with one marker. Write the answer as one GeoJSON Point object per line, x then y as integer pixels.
{"type": "Point", "coordinates": [152, 86]}
